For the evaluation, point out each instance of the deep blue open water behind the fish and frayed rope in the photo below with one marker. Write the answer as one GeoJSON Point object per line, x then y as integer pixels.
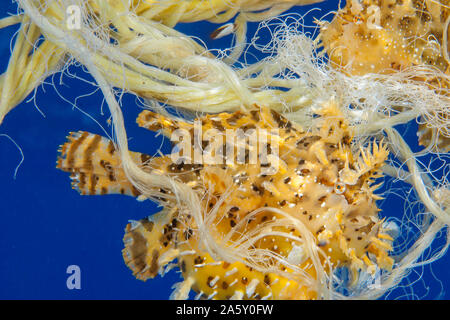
{"type": "Point", "coordinates": [46, 226]}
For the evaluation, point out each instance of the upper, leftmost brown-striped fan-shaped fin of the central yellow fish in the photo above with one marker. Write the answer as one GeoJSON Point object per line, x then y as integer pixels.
{"type": "Point", "coordinates": [95, 166]}
